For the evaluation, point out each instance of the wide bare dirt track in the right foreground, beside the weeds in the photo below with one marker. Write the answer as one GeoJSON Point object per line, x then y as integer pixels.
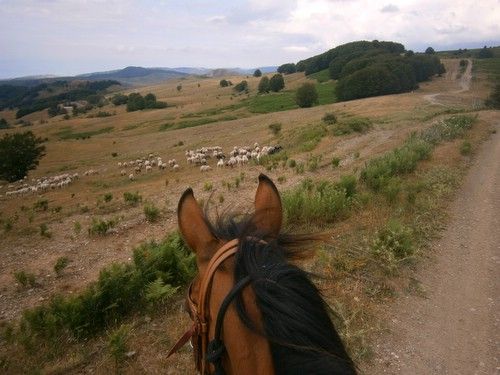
{"type": "Point", "coordinates": [454, 327]}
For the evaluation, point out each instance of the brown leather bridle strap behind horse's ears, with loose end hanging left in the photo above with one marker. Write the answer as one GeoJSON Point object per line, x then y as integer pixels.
{"type": "Point", "coordinates": [199, 329]}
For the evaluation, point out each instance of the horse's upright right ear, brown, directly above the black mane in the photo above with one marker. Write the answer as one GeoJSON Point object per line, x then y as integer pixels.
{"type": "Point", "coordinates": [268, 210]}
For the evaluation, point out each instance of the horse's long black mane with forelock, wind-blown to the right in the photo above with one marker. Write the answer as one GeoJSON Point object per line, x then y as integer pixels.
{"type": "Point", "coordinates": [295, 317]}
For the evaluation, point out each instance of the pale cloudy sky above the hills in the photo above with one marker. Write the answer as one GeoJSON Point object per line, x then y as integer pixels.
{"type": "Point", "coordinates": [68, 37]}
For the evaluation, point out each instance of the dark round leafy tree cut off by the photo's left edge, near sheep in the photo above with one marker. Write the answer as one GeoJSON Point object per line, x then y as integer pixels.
{"type": "Point", "coordinates": [19, 153]}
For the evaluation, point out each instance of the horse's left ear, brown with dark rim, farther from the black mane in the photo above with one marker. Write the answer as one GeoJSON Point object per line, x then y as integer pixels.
{"type": "Point", "coordinates": [192, 223]}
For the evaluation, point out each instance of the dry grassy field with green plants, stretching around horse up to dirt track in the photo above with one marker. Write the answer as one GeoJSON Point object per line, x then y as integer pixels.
{"type": "Point", "coordinates": [106, 245]}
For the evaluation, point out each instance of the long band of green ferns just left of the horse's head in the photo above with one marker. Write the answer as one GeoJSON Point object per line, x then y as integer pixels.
{"type": "Point", "coordinates": [119, 290]}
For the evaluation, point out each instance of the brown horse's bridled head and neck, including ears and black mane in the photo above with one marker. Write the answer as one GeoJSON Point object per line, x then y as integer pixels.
{"type": "Point", "coordinates": [254, 312]}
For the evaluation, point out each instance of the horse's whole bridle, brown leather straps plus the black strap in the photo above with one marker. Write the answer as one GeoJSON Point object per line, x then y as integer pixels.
{"type": "Point", "coordinates": [205, 351]}
